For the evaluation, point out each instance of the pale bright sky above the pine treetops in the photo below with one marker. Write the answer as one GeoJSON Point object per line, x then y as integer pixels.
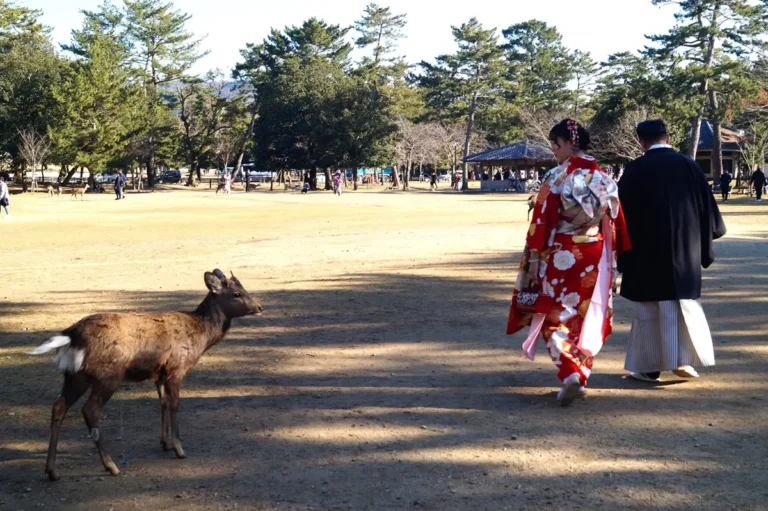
{"type": "Point", "coordinates": [601, 27]}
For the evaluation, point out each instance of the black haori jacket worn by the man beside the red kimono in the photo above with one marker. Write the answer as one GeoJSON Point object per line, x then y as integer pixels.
{"type": "Point", "coordinates": [672, 219]}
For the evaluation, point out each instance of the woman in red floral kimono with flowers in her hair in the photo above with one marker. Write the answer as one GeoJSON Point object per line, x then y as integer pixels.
{"type": "Point", "coordinates": [564, 288]}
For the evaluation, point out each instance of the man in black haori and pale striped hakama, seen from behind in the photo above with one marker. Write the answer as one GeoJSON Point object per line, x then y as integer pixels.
{"type": "Point", "coordinates": [672, 219]}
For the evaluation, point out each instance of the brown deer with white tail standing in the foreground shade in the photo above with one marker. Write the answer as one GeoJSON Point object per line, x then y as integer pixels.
{"type": "Point", "coordinates": [104, 350]}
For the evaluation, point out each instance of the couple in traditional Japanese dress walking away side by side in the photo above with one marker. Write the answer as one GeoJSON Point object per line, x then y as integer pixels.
{"type": "Point", "coordinates": [586, 228]}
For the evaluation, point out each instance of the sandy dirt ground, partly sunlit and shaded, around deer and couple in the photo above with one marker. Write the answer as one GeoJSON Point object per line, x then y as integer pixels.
{"type": "Point", "coordinates": [379, 376]}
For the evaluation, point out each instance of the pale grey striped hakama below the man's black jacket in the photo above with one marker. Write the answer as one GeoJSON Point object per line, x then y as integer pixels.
{"type": "Point", "coordinates": [669, 334]}
